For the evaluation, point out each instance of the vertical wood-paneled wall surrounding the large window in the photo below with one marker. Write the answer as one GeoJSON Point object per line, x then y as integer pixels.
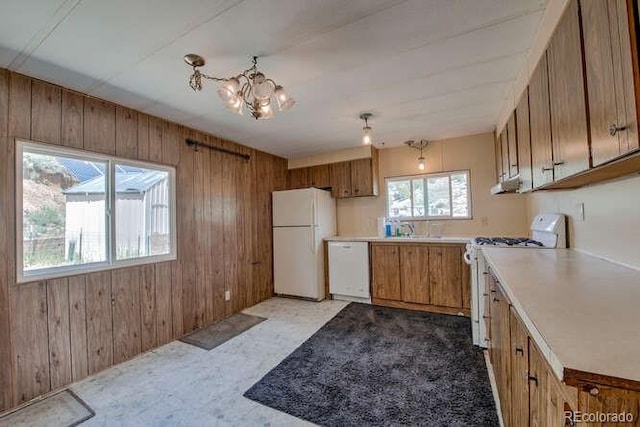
{"type": "Point", "coordinates": [58, 331]}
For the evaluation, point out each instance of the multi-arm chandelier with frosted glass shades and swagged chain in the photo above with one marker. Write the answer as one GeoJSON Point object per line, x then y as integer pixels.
{"type": "Point", "coordinates": [250, 89]}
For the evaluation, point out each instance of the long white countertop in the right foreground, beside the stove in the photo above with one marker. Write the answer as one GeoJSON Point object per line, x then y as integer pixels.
{"type": "Point", "coordinates": [582, 311]}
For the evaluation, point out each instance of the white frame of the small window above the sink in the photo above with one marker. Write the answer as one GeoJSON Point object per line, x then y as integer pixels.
{"type": "Point", "coordinates": [424, 177]}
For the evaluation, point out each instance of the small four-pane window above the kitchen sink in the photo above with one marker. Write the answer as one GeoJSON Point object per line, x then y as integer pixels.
{"type": "Point", "coordinates": [433, 196]}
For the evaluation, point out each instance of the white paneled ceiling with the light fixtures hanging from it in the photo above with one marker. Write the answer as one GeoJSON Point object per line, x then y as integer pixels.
{"type": "Point", "coordinates": [426, 68]}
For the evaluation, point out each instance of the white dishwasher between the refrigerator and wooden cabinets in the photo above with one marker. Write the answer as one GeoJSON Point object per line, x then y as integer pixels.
{"type": "Point", "coordinates": [349, 271]}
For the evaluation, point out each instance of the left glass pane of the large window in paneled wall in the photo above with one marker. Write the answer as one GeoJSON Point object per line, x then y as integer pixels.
{"type": "Point", "coordinates": [63, 211]}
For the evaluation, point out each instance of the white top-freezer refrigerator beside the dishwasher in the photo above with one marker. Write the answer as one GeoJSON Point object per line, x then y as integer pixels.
{"type": "Point", "coordinates": [301, 220]}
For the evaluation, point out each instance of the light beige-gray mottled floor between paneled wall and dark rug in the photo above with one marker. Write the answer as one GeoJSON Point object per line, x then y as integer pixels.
{"type": "Point", "coordinates": [182, 385]}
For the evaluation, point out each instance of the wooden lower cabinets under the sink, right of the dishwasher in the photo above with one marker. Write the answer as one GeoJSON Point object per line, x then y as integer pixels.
{"type": "Point", "coordinates": [420, 276]}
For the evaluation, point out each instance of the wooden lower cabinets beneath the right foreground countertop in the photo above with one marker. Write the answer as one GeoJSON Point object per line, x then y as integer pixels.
{"type": "Point", "coordinates": [530, 392]}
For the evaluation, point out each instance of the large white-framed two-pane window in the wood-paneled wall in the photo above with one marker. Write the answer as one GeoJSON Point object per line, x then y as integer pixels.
{"type": "Point", "coordinates": [82, 211]}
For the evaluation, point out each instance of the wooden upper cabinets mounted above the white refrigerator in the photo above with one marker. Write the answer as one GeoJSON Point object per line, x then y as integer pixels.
{"type": "Point", "coordinates": [352, 178]}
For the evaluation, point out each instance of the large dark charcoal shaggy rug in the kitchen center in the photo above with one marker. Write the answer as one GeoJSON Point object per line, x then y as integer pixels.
{"type": "Point", "coordinates": [374, 365]}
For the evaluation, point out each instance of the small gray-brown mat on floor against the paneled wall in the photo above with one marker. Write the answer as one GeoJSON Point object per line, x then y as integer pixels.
{"type": "Point", "coordinates": [212, 336]}
